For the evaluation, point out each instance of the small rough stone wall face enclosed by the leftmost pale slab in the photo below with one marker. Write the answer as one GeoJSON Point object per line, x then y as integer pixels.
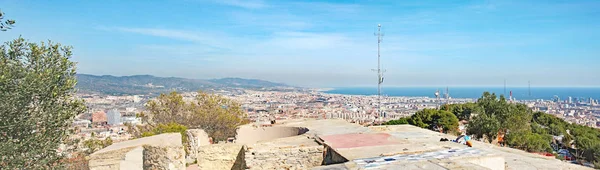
{"type": "Point", "coordinates": [164, 157]}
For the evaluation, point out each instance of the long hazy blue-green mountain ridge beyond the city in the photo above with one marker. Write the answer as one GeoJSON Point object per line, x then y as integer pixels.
{"type": "Point", "coordinates": [146, 84]}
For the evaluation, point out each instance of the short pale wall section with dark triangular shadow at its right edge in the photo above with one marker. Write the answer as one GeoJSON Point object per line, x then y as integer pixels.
{"type": "Point", "coordinates": [220, 156]}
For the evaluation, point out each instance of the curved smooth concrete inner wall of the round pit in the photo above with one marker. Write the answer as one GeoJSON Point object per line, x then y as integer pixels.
{"type": "Point", "coordinates": [249, 134]}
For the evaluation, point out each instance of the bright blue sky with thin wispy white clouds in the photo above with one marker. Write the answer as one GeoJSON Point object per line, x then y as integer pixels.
{"type": "Point", "coordinates": [325, 43]}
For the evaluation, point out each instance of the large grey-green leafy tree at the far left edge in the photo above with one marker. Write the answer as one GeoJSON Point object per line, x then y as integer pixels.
{"type": "Point", "coordinates": [38, 103]}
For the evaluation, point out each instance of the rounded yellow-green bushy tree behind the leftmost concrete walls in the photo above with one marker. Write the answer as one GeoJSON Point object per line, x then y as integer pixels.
{"type": "Point", "coordinates": [216, 115]}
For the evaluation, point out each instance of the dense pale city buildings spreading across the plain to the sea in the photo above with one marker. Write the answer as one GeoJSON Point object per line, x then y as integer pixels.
{"type": "Point", "coordinates": [107, 114]}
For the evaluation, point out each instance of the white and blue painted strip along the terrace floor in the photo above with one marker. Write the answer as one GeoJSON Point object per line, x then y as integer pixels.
{"type": "Point", "coordinates": [369, 163]}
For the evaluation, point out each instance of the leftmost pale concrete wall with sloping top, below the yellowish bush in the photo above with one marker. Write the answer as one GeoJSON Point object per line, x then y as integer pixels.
{"type": "Point", "coordinates": [128, 154]}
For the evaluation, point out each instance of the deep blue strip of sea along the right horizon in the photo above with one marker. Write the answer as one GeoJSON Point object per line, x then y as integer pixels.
{"type": "Point", "coordinates": [519, 93]}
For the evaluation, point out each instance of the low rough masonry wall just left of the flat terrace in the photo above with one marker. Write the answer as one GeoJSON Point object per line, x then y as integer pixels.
{"type": "Point", "coordinates": [299, 157]}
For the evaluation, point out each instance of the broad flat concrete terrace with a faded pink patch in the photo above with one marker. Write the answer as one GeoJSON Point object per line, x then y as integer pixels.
{"type": "Point", "coordinates": [351, 146]}
